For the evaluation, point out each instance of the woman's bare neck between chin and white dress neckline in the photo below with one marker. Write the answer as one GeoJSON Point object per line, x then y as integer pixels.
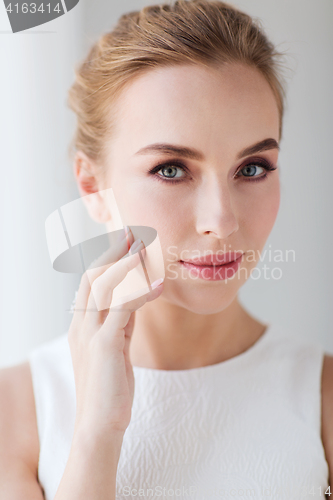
{"type": "Point", "coordinates": [169, 337]}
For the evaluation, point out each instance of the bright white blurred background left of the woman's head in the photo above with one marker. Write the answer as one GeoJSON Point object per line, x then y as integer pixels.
{"type": "Point", "coordinates": [37, 67]}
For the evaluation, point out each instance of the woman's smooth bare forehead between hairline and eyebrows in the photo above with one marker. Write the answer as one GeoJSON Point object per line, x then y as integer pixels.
{"type": "Point", "coordinates": [229, 107]}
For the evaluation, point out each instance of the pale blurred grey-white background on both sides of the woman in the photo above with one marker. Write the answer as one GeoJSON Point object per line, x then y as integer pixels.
{"type": "Point", "coordinates": [36, 128]}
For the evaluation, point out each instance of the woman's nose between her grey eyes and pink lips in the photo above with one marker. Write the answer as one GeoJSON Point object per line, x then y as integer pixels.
{"type": "Point", "coordinates": [215, 214]}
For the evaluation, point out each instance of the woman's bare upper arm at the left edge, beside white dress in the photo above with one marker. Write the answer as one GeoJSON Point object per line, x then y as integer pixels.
{"type": "Point", "coordinates": [19, 442]}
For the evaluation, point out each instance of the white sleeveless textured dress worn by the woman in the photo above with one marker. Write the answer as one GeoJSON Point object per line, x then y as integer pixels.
{"type": "Point", "coordinates": [248, 427]}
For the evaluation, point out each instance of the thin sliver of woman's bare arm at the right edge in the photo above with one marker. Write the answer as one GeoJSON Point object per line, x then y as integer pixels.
{"type": "Point", "coordinates": [327, 411]}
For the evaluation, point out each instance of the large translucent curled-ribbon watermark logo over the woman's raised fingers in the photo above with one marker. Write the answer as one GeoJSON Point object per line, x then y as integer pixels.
{"type": "Point", "coordinates": [78, 244]}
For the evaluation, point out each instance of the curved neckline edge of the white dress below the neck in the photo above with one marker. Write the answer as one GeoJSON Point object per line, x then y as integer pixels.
{"type": "Point", "coordinates": [209, 368]}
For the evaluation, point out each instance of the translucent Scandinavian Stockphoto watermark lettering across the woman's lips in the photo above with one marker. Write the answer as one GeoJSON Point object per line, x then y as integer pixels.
{"type": "Point", "coordinates": [269, 260]}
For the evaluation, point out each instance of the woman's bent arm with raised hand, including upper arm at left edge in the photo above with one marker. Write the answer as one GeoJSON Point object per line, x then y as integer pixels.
{"type": "Point", "coordinates": [99, 342]}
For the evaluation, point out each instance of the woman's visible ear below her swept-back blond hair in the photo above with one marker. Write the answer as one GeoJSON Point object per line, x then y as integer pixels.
{"type": "Point", "coordinates": [88, 181]}
